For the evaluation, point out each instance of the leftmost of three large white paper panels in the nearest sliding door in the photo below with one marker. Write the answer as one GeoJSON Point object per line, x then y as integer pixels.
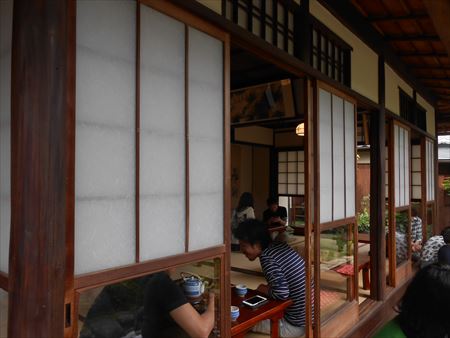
{"type": "Point", "coordinates": [104, 159]}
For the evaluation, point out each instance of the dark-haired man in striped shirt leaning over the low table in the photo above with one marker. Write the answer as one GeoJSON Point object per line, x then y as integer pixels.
{"type": "Point", "coordinates": [284, 271]}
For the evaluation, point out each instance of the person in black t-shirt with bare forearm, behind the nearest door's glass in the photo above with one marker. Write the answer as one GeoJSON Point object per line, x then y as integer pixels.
{"type": "Point", "coordinates": [168, 314]}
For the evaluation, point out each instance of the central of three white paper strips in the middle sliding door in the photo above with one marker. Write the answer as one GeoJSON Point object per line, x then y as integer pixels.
{"type": "Point", "coordinates": [338, 158]}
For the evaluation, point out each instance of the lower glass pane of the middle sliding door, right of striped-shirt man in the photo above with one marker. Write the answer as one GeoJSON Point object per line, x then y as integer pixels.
{"type": "Point", "coordinates": [336, 269]}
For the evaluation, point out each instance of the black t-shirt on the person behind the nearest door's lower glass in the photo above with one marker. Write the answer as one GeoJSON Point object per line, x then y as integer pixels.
{"type": "Point", "coordinates": [162, 295]}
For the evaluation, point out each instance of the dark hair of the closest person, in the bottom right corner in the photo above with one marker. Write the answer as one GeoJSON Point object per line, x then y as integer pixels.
{"type": "Point", "coordinates": [424, 308]}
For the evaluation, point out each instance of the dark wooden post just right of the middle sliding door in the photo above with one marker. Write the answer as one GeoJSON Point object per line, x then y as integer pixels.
{"type": "Point", "coordinates": [377, 191]}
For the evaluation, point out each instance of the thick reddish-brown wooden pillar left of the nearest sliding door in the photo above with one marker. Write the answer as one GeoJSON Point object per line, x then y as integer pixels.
{"type": "Point", "coordinates": [42, 147]}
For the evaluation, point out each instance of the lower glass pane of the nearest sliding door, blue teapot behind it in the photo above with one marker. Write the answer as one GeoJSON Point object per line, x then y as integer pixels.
{"type": "Point", "coordinates": [137, 307]}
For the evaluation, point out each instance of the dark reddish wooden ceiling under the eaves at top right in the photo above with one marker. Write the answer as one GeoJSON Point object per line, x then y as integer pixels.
{"type": "Point", "coordinates": [419, 33]}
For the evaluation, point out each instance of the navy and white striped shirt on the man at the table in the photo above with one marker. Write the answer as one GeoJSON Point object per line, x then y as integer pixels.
{"type": "Point", "coordinates": [284, 270]}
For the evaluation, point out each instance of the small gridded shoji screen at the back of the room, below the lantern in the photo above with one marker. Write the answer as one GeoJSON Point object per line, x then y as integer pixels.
{"type": "Point", "coordinates": [291, 173]}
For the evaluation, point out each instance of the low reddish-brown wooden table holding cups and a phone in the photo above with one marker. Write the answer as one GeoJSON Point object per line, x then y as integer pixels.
{"type": "Point", "coordinates": [273, 310]}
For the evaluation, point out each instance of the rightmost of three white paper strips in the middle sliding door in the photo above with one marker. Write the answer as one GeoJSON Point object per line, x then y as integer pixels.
{"type": "Point", "coordinates": [350, 189]}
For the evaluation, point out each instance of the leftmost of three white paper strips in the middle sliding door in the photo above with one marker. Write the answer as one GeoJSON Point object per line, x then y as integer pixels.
{"type": "Point", "coordinates": [325, 157]}
